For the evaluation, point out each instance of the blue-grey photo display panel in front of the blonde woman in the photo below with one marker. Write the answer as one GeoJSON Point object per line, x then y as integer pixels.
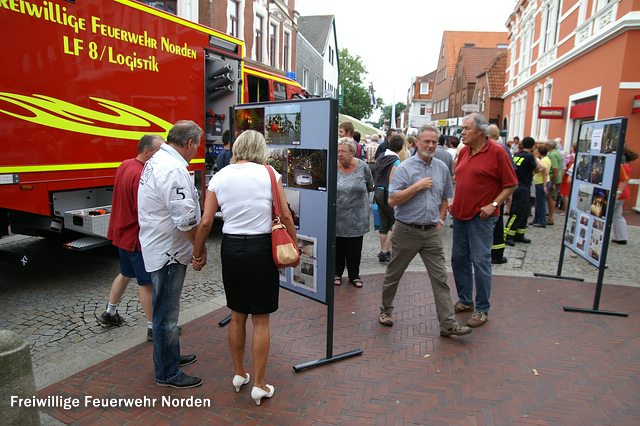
{"type": "Point", "coordinates": [301, 140]}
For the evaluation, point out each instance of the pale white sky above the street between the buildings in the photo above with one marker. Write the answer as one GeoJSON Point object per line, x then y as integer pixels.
{"type": "Point", "coordinates": [399, 40]}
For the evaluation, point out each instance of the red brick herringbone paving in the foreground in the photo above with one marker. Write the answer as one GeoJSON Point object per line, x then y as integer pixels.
{"type": "Point", "coordinates": [532, 363]}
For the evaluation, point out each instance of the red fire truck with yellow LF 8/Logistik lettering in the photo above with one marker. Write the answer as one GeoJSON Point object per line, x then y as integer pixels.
{"type": "Point", "coordinates": [81, 82]}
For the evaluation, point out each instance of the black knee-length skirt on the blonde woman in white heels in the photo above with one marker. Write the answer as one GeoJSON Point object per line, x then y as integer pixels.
{"type": "Point", "coordinates": [249, 275]}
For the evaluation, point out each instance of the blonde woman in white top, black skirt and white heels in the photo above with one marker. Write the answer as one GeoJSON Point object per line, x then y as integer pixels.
{"type": "Point", "coordinates": [242, 190]}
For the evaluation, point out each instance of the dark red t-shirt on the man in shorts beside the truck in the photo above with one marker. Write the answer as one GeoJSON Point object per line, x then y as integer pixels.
{"type": "Point", "coordinates": [123, 223]}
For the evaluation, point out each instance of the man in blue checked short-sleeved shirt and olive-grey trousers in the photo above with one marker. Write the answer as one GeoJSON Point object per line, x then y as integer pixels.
{"type": "Point", "coordinates": [419, 190]}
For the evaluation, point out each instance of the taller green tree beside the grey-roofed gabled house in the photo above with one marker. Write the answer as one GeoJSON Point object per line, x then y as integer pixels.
{"type": "Point", "coordinates": [355, 95]}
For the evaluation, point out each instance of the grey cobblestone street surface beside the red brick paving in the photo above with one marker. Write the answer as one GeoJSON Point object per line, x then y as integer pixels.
{"type": "Point", "coordinates": [53, 301]}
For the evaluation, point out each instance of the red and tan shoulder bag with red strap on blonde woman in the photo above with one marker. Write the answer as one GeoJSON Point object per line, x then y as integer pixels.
{"type": "Point", "coordinates": [284, 250]}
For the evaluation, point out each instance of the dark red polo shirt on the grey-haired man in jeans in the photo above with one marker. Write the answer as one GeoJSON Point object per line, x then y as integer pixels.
{"type": "Point", "coordinates": [480, 178]}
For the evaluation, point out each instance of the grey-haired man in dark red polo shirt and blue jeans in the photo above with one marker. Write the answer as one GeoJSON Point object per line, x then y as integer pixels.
{"type": "Point", "coordinates": [484, 180]}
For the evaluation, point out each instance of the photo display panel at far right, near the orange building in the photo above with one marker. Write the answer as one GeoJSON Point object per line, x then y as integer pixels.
{"type": "Point", "coordinates": [593, 188]}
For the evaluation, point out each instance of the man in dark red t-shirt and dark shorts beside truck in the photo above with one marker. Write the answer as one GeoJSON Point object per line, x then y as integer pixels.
{"type": "Point", "coordinates": [123, 233]}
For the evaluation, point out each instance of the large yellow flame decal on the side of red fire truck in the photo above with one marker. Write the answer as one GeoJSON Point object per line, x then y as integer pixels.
{"type": "Point", "coordinates": [59, 114]}
